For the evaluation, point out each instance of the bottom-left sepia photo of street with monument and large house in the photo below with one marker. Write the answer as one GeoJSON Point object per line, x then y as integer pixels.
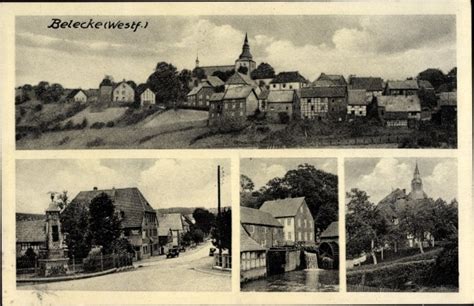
{"type": "Point", "coordinates": [123, 225]}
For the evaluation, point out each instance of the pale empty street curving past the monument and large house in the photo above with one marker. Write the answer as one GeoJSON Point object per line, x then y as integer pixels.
{"type": "Point", "coordinates": [174, 274]}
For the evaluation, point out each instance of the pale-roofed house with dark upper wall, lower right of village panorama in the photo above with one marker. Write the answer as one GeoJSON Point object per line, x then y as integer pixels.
{"type": "Point", "coordinates": [399, 111]}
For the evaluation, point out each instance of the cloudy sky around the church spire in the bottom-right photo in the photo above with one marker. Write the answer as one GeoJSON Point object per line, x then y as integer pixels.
{"type": "Point", "coordinates": [379, 176]}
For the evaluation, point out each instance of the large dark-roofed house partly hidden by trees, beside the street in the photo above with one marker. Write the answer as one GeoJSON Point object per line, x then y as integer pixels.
{"type": "Point", "coordinates": [138, 219]}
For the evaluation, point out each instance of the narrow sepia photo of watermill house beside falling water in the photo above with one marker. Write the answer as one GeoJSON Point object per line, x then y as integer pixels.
{"type": "Point", "coordinates": [289, 236]}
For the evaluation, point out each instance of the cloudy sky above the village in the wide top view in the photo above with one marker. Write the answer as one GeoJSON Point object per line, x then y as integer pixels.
{"type": "Point", "coordinates": [393, 47]}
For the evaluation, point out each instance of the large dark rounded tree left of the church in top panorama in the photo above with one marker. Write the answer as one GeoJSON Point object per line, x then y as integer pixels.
{"type": "Point", "coordinates": [165, 83]}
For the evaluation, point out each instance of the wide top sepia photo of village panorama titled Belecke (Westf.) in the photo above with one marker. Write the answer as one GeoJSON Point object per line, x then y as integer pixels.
{"type": "Point", "coordinates": [211, 82]}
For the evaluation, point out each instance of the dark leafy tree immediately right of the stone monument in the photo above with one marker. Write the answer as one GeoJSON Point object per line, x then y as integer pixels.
{"type": "Point", "coordinates": [75, 224]}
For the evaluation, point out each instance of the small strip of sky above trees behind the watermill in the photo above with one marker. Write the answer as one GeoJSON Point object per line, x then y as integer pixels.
{"type": "Point", "coordinates": [261, 170]}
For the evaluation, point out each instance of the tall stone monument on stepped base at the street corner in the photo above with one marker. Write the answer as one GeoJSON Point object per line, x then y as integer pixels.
{"type": "Point", "coordinates": [54, 261]}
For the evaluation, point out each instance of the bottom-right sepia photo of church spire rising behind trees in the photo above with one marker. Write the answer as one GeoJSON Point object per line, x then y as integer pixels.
{"type": "Point", "coordinates": [402, 225]}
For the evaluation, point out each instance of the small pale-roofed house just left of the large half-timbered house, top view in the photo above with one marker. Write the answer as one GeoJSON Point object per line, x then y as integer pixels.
{"type": "Point", "coordinates": [280, 102]}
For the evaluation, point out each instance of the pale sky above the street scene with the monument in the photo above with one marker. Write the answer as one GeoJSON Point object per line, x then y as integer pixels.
{"type": "Point", "coordinates": [163, 182]}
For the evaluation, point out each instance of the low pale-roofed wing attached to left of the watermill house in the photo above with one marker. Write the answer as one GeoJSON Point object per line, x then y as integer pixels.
{"type": "Point", "coordinates": [262, 227]}
